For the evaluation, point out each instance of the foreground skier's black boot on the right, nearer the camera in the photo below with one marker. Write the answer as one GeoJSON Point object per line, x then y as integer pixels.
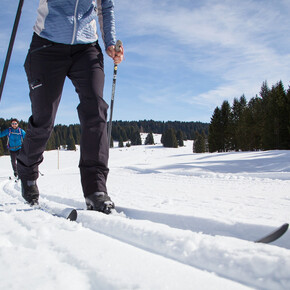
{"type": "Point", "coordinates": [100, 201]}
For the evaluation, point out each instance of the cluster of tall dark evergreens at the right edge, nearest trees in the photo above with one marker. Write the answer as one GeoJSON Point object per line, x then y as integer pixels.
{"type": "Point", "coordinates": [263, 123]}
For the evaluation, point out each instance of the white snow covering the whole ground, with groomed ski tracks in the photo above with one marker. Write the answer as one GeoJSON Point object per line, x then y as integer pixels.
{"type": "Point", "coordinates": [186, 221]}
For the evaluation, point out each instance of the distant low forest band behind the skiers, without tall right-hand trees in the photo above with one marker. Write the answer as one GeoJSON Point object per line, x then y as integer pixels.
{"type": "Point", "coordinates": [173, 133]}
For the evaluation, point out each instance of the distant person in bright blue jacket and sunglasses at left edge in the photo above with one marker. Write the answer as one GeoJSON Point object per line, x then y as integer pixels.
{"type": "Point", "coordinates": [15, 137]}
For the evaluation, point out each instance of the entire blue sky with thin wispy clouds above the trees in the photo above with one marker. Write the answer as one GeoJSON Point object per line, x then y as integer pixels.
{"type": "Point", "coordinates": [182, 57]}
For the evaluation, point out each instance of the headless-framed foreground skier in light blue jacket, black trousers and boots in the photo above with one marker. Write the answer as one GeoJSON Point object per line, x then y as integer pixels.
{"type": "Point", "coordinates": [65, 44]}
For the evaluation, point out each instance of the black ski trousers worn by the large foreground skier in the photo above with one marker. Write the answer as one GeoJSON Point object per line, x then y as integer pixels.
{"type": "Point", "coordinates": [47, 65]}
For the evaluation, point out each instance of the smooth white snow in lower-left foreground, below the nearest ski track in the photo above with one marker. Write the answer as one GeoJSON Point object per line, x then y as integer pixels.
{"type": "Point", "coordinates": [59, 254]}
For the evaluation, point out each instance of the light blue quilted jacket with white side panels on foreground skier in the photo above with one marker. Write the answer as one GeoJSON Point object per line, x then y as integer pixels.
{"type": "Point", "coordinates": [74, 21]}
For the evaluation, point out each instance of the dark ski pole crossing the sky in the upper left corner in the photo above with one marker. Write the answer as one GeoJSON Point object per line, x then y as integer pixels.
{"type": "Point", "coordinates": [10, 47]}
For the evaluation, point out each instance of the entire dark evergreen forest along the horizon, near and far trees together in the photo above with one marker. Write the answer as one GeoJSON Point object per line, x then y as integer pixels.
{"type": "Point", "coordinates": [263, 123]}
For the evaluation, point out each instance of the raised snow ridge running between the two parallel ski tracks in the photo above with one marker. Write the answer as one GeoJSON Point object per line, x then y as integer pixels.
{"type": "Point", "coordinates": [222, 255]}
